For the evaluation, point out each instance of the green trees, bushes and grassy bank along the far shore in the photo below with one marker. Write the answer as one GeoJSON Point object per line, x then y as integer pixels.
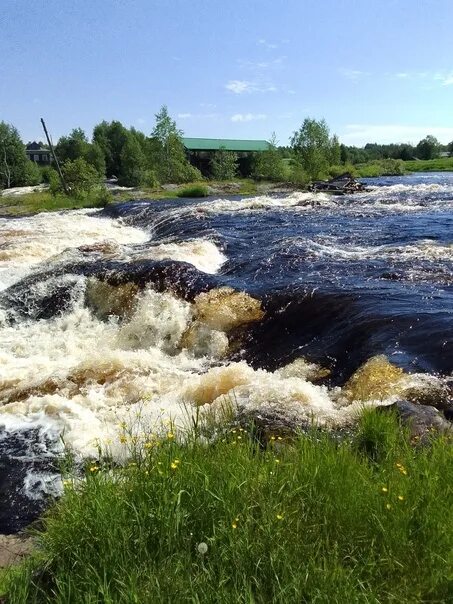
{"type": "Point", "coordinates": [148, 162]}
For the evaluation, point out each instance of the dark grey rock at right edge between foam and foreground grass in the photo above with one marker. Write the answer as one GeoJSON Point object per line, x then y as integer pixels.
{"type": "Point", "coordinates": [422, 420]}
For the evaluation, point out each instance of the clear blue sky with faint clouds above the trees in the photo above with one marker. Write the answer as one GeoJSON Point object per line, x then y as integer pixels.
{"type": "Point", "coordinates": [376, 70]}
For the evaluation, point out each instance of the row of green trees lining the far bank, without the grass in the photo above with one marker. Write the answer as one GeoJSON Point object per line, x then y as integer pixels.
{"type": "Point", "coordinates": [139, 160]}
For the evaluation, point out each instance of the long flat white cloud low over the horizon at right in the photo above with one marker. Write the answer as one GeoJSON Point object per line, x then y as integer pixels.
{"type": "Point", "coordinates": [360, 134]}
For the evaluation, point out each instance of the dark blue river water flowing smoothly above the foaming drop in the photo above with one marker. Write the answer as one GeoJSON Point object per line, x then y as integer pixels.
{"type": "Point", "coordinates": [356, 276]}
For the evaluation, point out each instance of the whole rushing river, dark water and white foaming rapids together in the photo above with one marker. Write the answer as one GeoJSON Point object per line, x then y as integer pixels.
{"type": "Point", "coordinates": [149, 315]}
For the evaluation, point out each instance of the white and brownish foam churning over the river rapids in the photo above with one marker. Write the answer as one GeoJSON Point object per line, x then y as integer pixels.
{"type": "Point", "coordinates": [145, 359]}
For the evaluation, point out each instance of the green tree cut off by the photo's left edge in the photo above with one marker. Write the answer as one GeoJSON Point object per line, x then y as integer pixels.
{"type": "Point", "coordinates": [13, 160]}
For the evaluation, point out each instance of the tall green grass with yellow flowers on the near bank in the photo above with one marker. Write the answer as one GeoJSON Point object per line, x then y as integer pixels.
{"type": "Point", "coordinates": [314, 519]}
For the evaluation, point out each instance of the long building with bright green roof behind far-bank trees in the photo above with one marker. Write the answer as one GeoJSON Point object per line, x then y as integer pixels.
{"type": "Point", "coordinates": [200, 151]}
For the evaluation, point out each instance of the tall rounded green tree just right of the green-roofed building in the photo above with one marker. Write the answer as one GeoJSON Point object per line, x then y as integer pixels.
{"type": "Point", "coordinates": [314, 148]}
